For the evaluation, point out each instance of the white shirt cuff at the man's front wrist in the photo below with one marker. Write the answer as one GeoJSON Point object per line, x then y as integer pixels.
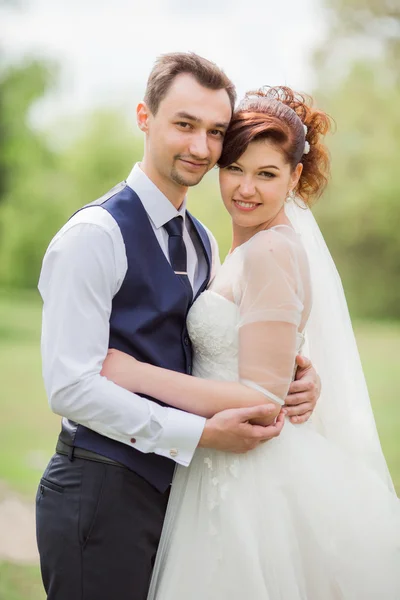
{"type": "Point", "coordinates": [180, 436]}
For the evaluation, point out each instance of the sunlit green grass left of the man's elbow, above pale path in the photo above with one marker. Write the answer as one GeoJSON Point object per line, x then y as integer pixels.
{"type": "Point", "coordinates": [28, 428]}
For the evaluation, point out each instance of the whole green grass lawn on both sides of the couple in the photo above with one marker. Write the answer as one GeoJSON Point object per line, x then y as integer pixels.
{"type": "Point", "coordinates": [28, 429]}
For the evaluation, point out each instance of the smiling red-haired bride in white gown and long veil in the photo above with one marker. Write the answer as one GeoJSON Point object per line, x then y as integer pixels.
{"type": "Point", "coordinates": [312, 514]}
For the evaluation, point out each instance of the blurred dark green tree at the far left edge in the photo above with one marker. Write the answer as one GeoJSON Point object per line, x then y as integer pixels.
{"type": "Point", "coordinates": [27, 166]}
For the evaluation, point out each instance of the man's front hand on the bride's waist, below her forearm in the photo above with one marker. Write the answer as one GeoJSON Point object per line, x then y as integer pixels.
{"type": "Point", "coordinates": [231, 431]}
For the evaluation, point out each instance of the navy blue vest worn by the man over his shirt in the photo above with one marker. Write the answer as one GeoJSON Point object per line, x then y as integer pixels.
{"type": "Point", "coordinates": [148, 321]}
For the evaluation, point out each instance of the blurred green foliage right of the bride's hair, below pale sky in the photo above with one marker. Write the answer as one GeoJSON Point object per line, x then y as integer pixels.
{"type": "Point", "coordinates": [360, 212]}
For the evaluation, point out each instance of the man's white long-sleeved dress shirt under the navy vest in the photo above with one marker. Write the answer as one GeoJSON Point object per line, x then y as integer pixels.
{"type": "Point", "coordinates": [83, 269]}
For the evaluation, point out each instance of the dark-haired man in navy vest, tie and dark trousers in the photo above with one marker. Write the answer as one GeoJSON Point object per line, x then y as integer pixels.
{"type": "Point", "coordinates": [123, 273]}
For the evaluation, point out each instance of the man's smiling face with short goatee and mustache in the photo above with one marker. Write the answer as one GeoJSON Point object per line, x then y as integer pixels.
{"type": "Point", "coordinates": [185, 136]}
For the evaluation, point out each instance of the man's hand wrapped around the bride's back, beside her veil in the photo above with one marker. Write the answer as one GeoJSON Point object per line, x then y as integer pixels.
{"type": "Point", "coordinates": [304, 391]}
